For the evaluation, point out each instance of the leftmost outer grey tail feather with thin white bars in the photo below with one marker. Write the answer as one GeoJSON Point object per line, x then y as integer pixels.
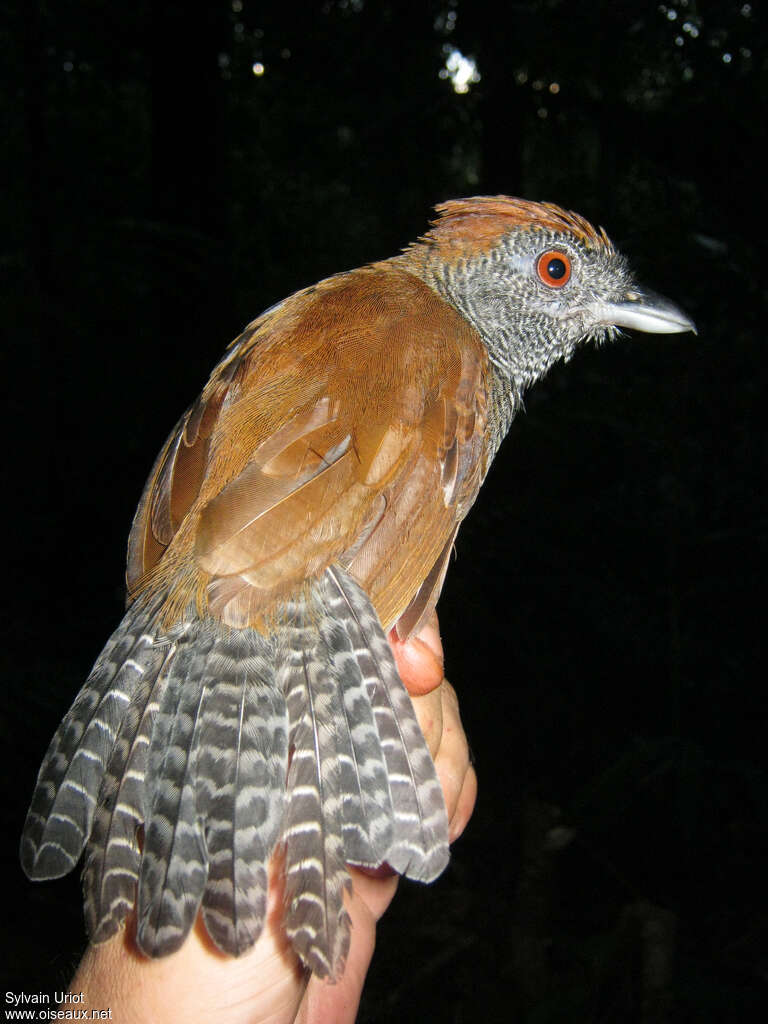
{"type": "Point", "coordinates": [61, 815]}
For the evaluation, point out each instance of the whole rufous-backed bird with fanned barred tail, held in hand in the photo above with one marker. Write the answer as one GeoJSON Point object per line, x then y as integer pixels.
{"type": "Point", "coordinates": [304, 507]}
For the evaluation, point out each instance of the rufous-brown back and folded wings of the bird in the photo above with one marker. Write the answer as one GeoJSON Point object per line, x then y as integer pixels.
{"type": "Point", "coordinates": [348, 425]}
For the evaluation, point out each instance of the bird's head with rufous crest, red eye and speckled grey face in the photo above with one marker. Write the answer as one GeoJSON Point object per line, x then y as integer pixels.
{"type": "Point", "coordinates": [536, 282]}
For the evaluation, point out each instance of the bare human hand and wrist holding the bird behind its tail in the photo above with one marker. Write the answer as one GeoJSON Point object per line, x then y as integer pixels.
{"type": "Point", "coordinates": [269, 984]}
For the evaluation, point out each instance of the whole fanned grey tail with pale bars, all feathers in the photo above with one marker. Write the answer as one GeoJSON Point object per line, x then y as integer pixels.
{"type": "Point", "coordinates": [220, 743]}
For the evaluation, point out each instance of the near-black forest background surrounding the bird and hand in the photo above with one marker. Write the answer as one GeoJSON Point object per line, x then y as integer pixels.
{"type": "Point", "coordinates": [605, 619]}
